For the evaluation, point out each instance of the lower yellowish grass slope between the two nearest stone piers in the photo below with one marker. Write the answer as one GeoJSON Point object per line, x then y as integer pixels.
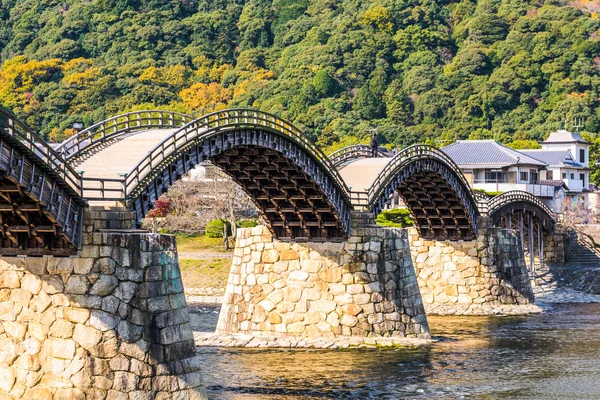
{"type": "Point", "coordinates": [212, 272]}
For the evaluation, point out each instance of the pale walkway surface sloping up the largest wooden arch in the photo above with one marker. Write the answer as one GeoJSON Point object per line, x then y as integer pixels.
{"type": "Point", "coordinates": [122, 155]}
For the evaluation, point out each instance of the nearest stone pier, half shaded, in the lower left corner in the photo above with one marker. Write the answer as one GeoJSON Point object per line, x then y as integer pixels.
{"type": "Point", "coordinates": [110, 324]}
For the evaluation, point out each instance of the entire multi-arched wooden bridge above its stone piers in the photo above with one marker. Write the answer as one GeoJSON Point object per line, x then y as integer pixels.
{"type": "Point", "coordinates": [301, 193]}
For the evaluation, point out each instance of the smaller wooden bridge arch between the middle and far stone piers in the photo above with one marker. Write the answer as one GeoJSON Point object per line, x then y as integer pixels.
{"type": "Point", "coordinates": [433, 188]}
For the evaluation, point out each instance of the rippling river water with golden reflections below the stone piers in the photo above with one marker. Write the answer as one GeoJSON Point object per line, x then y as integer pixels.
{"type": "Point", "coordinates": [555, 355]}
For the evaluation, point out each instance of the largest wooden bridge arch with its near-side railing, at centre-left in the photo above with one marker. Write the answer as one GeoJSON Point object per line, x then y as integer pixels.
{"type": "Point", "coordinates": [295, 187]}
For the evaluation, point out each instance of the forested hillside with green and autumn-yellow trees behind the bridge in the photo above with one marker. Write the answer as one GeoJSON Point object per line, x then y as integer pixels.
{"type": "Point", "coordinates": [417, 69]}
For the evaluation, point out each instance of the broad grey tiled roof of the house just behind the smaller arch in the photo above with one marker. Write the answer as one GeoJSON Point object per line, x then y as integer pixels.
{"type": "Point", "coordinates": [487, 152]}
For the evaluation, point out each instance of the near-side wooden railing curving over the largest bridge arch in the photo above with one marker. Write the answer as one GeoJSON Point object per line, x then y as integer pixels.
{"type": "Point", "coordinates": [196, 130]}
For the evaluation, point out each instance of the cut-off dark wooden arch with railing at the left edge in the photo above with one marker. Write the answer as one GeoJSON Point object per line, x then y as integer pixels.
{"type": "Point", "coordinates": [41, 206]}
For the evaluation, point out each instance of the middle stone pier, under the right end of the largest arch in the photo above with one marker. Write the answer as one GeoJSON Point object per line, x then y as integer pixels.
{"type": "Point", "coordinates": [365, 286]}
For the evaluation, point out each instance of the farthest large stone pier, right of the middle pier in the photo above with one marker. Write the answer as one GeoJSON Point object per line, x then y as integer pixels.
{"type": "Point", "coordinates": [464, 277]}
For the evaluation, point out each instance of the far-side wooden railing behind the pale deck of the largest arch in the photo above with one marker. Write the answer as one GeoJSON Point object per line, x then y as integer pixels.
{"type": "Point", "coordinates": [119, 125]}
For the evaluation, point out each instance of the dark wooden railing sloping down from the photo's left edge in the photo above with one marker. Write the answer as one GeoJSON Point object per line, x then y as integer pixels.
{"type": "Point", "coordinates": [41, 149]}
